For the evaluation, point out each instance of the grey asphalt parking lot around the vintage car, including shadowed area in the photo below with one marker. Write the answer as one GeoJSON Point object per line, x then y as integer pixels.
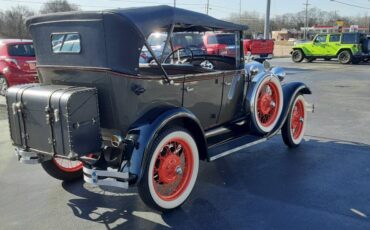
{"type": "Point", "coordinates": [323, 184]}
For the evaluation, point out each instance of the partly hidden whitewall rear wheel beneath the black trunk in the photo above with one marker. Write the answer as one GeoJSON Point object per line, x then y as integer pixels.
{"type": "Point", "coordinates": [62, 169]}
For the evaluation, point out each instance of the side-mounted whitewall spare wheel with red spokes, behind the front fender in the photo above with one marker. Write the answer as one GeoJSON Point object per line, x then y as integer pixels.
{"type": "Point", "coordinates": [268, 105]}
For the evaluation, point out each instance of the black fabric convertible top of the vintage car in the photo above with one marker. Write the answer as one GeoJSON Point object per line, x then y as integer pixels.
{"type": "Point", "coordinates": [113, 38]}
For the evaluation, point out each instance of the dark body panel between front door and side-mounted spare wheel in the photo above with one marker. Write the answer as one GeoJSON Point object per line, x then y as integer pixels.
{"type": "Point", "coordinates": [232, 98]}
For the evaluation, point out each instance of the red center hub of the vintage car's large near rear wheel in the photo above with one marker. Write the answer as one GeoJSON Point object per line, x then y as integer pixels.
{"type": "Point", "coordinates": [170, 168]}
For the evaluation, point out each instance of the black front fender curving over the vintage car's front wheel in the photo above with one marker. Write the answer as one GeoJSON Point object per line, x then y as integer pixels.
{"type": "Point", "coordinates": [290, 90]}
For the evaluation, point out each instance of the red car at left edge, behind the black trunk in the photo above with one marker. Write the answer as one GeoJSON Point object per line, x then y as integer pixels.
{"type": "Point", "coordinates": [17, 63]}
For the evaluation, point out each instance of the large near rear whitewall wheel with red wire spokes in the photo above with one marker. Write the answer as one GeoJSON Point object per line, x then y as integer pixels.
{"type": "Point", "coordinates": [171, 170]}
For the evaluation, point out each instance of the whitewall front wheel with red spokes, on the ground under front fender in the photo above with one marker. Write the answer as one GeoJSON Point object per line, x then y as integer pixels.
{"type": "Point", "coordinates": [295, 125]}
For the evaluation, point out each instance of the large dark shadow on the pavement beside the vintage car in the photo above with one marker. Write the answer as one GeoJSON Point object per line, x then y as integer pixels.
{"type": "Point", "coordinates": [320, 185]}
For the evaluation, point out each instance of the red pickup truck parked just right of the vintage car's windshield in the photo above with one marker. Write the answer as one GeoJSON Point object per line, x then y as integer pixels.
{"type": "Point", "coordinates": [260, 49]}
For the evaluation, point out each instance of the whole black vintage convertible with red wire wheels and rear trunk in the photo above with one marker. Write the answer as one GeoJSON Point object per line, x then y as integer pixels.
{"type": "Point", "coordinates": [100, 115]}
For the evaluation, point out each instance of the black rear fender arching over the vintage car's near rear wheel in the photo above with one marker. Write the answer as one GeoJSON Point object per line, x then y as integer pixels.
{"type": "Point", "coordinates": [147, 128]}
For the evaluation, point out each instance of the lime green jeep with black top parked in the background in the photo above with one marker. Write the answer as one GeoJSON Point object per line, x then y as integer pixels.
{"type": "Point", "coordinates": [347, 47]}
